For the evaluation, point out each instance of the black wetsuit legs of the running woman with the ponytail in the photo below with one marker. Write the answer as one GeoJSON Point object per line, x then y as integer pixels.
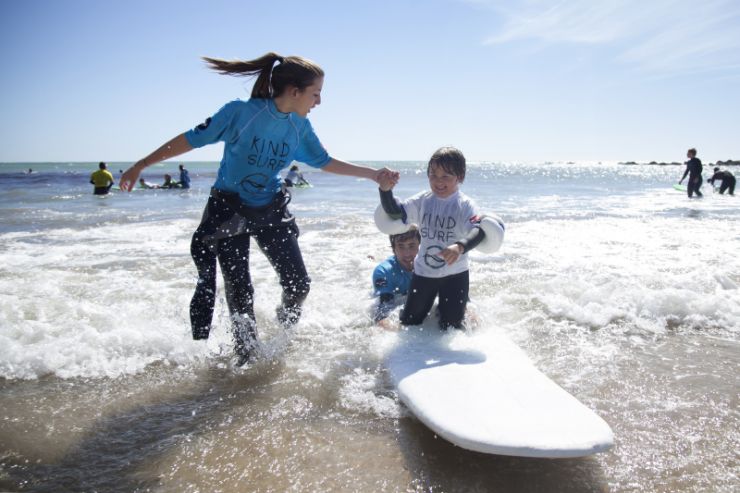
{"type": "Point", "coordinates": [279, 243]}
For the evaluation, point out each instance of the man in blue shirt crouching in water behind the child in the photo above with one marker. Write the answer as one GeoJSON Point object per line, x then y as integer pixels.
{"type": "Point", "coordinates": [391, 278]}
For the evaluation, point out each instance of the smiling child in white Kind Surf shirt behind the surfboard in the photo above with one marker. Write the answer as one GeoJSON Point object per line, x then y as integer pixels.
{"type": "Point", "coordinates": [448, 223]}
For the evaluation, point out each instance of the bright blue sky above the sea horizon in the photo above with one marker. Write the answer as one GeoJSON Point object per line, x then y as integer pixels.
{"type": "Point", "coordinates": [529, 80]}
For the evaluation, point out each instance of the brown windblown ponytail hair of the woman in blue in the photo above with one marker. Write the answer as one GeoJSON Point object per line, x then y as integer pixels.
{"type": "Point", "coordinates": [272, 80]}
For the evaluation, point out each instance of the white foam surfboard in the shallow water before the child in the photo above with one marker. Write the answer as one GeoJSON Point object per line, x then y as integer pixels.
{"type": "Point", "coordinates": [482, 393]}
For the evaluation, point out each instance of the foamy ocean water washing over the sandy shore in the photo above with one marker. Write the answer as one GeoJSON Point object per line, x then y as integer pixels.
{"type": "Point", "coordinates": [619, 288]}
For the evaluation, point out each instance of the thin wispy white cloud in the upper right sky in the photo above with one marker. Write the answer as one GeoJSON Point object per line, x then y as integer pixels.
{"type": "Point", "coordinates": [661, 36]}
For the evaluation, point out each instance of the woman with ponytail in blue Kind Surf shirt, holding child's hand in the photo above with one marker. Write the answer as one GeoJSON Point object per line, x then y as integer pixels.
{"type": "Point", "coordinates": [261, 136]}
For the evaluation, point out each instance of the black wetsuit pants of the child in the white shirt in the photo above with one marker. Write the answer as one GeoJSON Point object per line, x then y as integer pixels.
{"type": "Point", "coordinates": [453, 298]}
